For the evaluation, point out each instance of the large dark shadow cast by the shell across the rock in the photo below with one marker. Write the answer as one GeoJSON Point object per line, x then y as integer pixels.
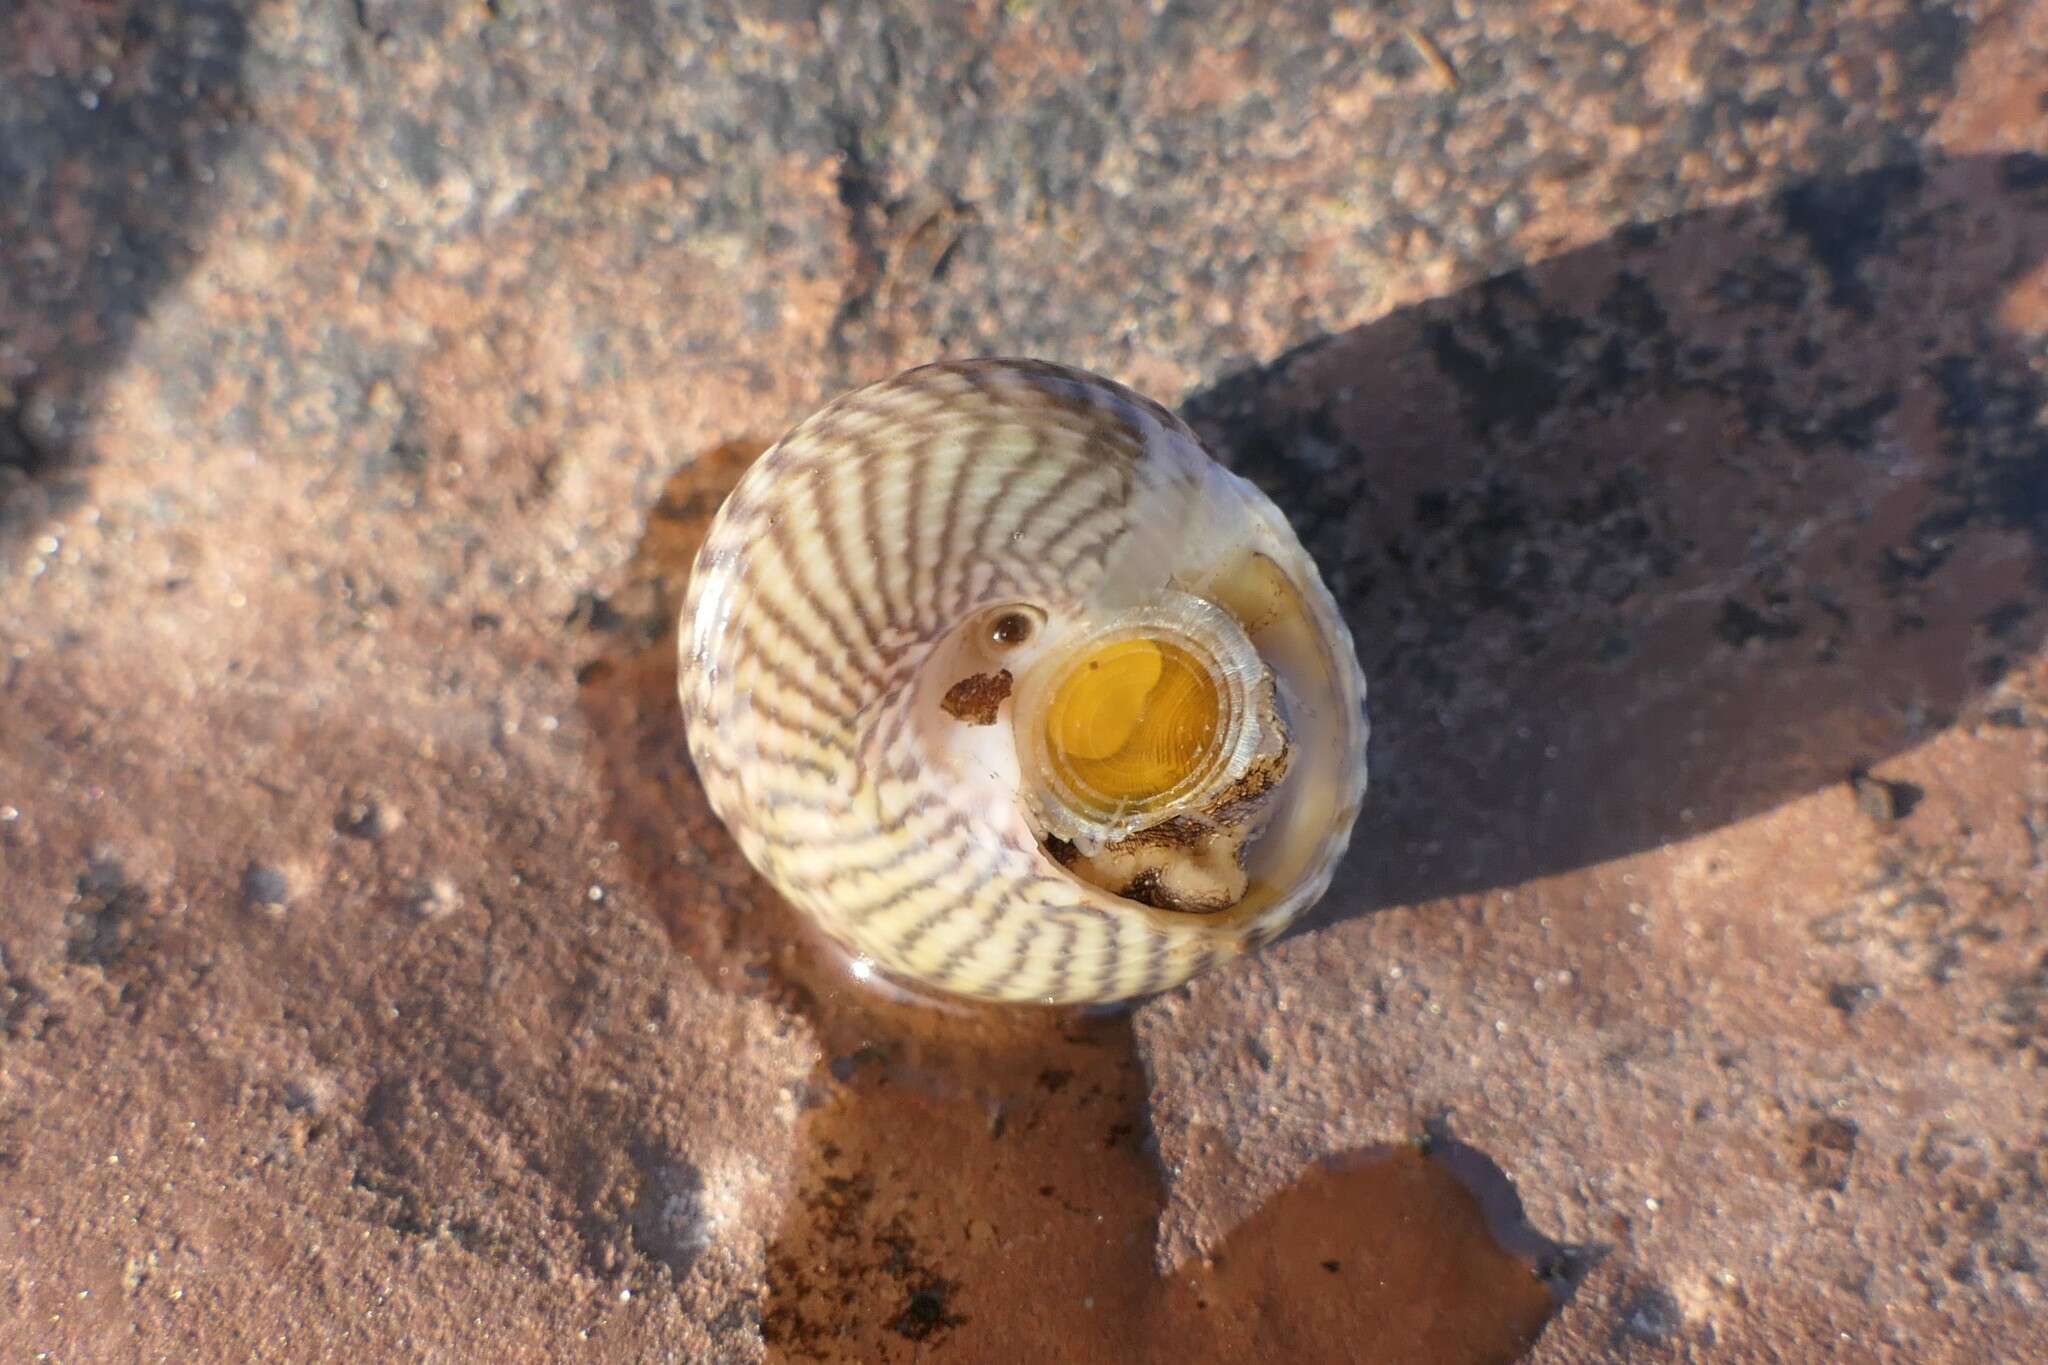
{"type": "Point", "coordinates": [1668, 531]}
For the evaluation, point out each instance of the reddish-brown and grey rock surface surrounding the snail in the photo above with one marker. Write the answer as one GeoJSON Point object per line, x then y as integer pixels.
{"type": "Point", "coordinates": [1660, 386]}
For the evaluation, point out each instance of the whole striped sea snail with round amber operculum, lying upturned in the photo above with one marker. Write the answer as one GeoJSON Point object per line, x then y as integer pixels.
{"type": "Point", "coordinates": [1017, 693]}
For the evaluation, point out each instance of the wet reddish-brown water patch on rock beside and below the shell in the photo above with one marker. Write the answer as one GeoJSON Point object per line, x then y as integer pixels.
{"type": "Point", "coordinates": [982, 1180]}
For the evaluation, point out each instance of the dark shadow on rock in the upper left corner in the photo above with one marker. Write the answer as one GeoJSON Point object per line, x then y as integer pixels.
{"type": "Point", "coordinates": [112, 122]}
